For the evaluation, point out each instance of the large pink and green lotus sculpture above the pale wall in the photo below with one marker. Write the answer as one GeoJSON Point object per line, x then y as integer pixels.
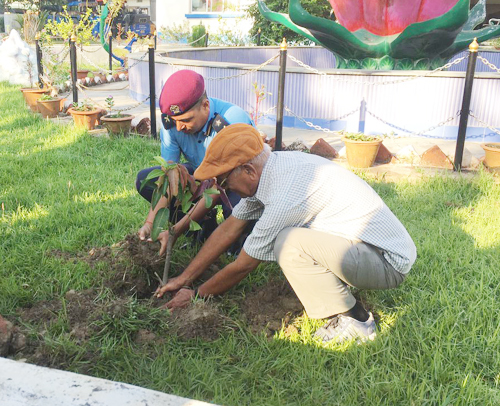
{"type": "Point", "coordinates": [397, 34]}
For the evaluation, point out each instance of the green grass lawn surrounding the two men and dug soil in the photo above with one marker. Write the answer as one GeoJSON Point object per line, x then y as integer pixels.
{"type": "Point", "coordinates": [62, 189]}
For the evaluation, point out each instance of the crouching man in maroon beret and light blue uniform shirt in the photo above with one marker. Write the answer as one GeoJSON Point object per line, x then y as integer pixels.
{"type": "Point", "coordinates": [190, 120]}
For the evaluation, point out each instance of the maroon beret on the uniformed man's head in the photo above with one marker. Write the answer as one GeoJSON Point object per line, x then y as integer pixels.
{"type": "Point", "coordinates": [181, 92]}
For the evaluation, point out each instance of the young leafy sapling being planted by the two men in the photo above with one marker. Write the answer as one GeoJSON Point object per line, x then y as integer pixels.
{"type": "Point", "coordinates": [182, 193]}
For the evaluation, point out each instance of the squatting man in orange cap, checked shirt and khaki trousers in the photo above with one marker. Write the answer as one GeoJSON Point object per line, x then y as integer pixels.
{"type": "Point", "coordinates": [325, 227]}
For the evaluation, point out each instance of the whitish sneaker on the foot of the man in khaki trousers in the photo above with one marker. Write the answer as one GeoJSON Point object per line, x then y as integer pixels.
{"type": "Point", "coordinates": [343, 328]}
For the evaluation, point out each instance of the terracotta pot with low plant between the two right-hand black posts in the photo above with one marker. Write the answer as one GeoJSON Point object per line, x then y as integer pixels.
{"type": "Point", "coordinates": [361, 149]}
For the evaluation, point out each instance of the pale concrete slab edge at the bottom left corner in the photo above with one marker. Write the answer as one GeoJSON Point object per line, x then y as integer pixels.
{"type": "Point", "coordinates": [24, 384]}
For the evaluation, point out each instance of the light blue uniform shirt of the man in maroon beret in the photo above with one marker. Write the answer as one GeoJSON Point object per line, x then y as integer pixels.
{"type": "Point", "coordinates": [194, 146]}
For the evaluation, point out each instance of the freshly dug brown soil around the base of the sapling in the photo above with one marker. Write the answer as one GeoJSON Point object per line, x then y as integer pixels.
{"type": "Point", "coordinates": [129, 269]}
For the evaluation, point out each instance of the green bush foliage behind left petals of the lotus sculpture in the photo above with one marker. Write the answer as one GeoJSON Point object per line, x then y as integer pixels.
{"type": "Point", "coordinates": [272, 33]}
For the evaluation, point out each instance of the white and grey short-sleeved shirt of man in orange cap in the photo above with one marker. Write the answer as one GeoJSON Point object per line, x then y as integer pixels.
{"type": "Point", "coordinates": [304, 190]}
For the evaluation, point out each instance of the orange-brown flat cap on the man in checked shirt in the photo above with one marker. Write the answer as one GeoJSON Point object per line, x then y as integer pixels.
{"type": "Point", "coordinates": [233, 146]}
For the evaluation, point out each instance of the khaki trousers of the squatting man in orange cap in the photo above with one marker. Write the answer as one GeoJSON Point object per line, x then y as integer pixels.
{"type": "Point", "coordinates": [320, 268]}
